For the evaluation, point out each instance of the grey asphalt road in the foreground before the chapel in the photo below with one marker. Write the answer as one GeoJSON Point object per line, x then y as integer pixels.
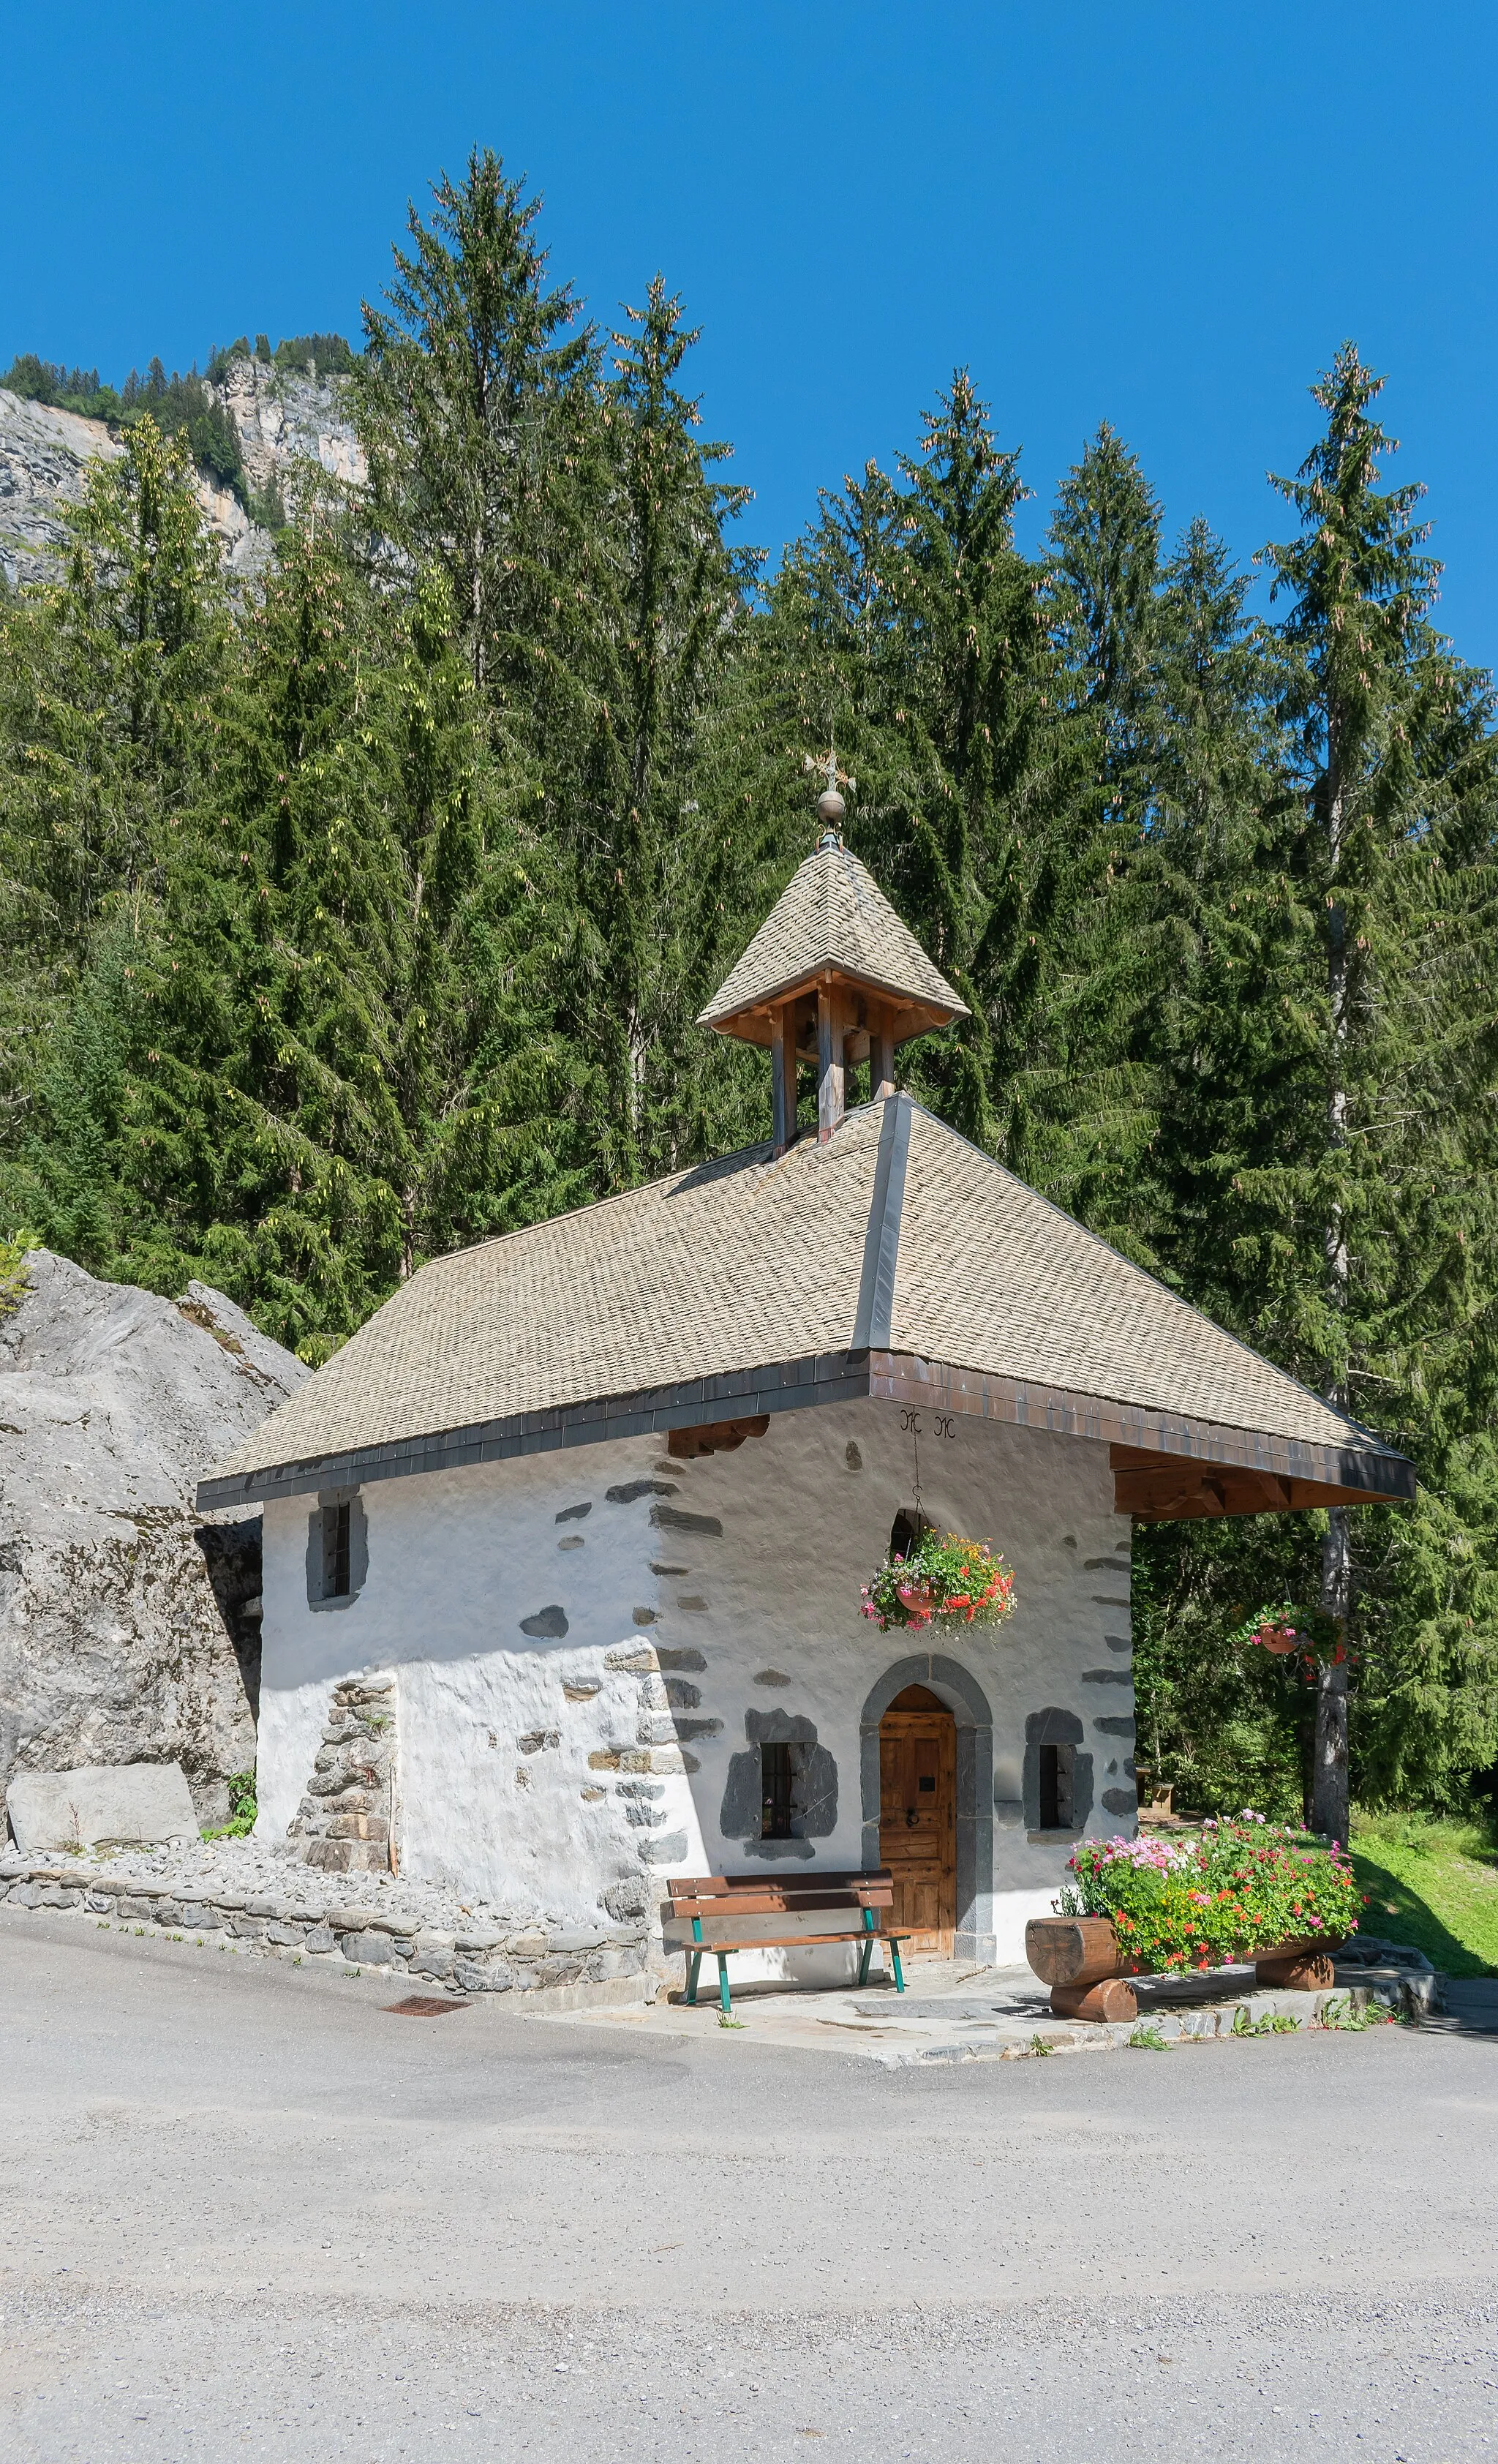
{"type": "Point", "coordinates": [253, 2214]}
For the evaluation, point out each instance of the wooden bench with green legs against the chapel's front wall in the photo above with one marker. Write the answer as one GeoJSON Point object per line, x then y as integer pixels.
{"type": "Point", "coordinates": [755, 1913]}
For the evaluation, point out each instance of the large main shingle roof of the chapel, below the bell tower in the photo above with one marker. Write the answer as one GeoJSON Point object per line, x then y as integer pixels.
{"type": "Point", "coordinates": [893, 1260]}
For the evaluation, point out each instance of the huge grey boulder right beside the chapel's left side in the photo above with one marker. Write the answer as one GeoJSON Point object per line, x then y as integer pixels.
{"type": "Point", "coordinates": [129, 1625]}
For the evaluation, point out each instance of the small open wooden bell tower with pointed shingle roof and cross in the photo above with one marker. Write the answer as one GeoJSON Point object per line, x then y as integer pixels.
{"type": "Point", "coordinates": [832, 979]}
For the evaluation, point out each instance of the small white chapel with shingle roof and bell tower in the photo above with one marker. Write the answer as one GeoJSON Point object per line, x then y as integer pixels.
{"type": "Point", "coordinates": [600, 1499]}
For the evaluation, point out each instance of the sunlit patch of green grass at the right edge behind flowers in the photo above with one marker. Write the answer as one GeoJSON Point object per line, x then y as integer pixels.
{"type": "Point", "coordinates": [1433, 1884]}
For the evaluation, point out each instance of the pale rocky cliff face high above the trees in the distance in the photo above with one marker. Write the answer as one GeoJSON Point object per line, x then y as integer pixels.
{"type": "Point", "coordinates": [289, 425]}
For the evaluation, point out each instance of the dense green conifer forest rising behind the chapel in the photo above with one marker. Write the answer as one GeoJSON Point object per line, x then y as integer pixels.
{"type": "Point", "coordinates": [366, 913]}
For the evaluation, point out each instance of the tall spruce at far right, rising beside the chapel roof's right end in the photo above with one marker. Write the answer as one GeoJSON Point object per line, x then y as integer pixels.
{"type": "Point", "coordinates": [1332, 1044]}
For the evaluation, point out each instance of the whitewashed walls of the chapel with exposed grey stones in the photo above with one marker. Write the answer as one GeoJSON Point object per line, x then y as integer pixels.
{"type": "Point", "coordinates": [457, 1561]}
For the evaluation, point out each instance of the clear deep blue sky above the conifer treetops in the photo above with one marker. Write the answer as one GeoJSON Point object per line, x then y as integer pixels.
{"type": "Point", "coordinates": [1157, 213]}
